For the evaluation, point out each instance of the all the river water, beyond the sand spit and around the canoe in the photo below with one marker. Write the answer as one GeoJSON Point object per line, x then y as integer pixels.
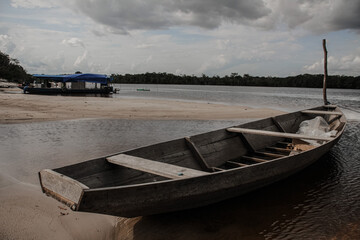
{"type": "Point", "coordinates": [321, 202]}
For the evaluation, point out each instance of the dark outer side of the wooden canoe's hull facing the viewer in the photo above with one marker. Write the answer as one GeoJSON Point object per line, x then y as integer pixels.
{"type": "Point", "coordinates": [169, 196]}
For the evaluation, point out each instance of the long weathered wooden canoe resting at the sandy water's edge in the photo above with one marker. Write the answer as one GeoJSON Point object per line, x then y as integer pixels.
{"type": "Point", "coordinates": [193, 171]}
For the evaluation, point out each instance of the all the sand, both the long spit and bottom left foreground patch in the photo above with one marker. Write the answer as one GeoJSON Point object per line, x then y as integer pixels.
{"type": "Point", "coordinates": [26, 213]}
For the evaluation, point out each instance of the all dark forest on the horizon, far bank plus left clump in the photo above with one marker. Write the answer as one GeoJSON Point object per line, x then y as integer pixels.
{"type": "Point", "coordinates": [11, 70]}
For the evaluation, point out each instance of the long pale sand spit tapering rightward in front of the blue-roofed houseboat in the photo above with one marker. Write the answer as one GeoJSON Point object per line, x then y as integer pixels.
{"type": "Point", "coordinates": [17, 108]}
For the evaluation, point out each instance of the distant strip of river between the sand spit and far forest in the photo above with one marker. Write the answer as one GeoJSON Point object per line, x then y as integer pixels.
{"type": "Point", "coordinates": [288, 99]}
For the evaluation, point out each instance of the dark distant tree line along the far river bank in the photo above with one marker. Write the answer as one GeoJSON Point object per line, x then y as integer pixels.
{"type": "Point", "coordinates": [304, 80]}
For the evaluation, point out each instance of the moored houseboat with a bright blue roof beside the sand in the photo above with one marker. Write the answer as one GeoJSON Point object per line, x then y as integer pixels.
{"type": "Point", "coordinates": [69, 84]}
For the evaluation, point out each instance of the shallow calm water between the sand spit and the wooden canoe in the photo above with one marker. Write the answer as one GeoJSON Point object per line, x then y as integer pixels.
{"type": "Point", "coordinates": [27, 148]}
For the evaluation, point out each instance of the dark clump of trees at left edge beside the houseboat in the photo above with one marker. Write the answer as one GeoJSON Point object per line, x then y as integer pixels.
{"type": "Point", "coordinates": [11, 70]}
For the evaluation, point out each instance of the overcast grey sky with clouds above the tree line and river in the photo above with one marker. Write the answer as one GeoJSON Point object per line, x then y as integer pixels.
{"type": "Point", "coordinates": [256, 37]}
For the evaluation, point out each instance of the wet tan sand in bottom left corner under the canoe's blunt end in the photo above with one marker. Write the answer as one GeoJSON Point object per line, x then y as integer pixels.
{"type": "Point", "coordinates": [26, 213]}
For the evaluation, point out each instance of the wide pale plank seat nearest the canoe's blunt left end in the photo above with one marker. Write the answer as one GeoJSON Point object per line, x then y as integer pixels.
{"type": "Point", "coordinates": [154, 167]}
